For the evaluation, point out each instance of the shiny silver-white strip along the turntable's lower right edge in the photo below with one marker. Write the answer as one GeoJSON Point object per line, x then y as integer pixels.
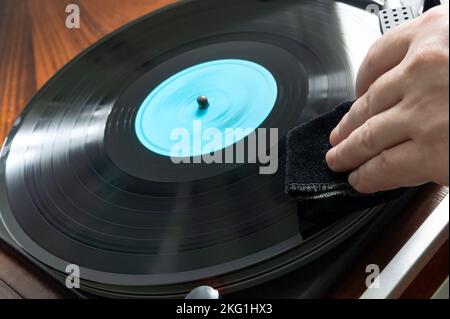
{"type": "Point", "coordinates": [413, 257]}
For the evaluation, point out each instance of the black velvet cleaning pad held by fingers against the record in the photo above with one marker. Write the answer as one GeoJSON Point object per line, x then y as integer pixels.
{"type": "Point", "coordinates": [321, 193]}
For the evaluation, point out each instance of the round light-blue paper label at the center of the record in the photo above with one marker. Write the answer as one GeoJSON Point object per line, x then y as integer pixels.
{"type": "Point", "coordinates": [220, 95]}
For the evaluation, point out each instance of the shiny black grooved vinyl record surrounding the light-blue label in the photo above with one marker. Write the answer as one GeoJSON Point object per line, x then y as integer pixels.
{"type": "Point", "coordinates": [77, 186]}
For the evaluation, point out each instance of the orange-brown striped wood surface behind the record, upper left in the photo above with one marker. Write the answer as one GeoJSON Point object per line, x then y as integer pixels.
{"type": "Point", "coordinates": [35, 43]}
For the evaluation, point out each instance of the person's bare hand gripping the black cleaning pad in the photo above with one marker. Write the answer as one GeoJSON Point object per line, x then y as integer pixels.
{"type": "Point", "coordinates": [397, 132]}
